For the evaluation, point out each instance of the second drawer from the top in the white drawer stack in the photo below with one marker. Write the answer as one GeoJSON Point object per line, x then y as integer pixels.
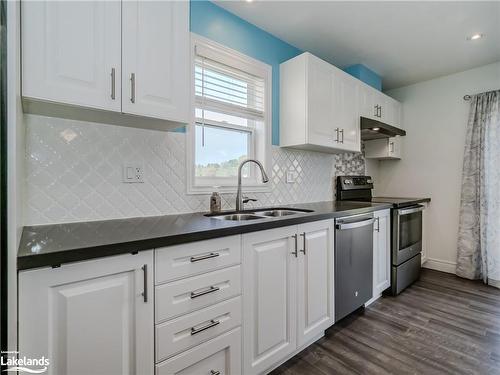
{"type": "Point", "coordinates": [182, 296]}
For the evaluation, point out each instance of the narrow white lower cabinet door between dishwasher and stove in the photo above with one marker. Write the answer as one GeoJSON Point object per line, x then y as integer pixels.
{"type": "Point", "coordinates": [381, 252]}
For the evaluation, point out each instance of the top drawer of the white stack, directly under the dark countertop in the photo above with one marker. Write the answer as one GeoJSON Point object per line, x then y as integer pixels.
{"type": "Point", "coordinates": [184, 260]}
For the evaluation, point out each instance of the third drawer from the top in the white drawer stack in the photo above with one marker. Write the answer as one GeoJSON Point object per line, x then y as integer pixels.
{"type": "Point", "coordinates": [189, 330]}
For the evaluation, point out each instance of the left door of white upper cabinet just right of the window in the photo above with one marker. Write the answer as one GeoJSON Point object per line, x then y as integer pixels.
{"type": "Point", "coordinates": [321, 129]}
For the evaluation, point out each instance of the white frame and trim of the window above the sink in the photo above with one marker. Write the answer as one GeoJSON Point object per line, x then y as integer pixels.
{"type": "Point", "coordinates": [245, 63]}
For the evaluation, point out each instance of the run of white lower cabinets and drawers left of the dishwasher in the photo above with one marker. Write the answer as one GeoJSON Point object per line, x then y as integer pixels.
{"type": "Point", "coordinates": [98, 315]}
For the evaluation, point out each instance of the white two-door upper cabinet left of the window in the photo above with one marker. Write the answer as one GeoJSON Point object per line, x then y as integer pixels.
{"type": "Point", "coordinates": [126, 58]}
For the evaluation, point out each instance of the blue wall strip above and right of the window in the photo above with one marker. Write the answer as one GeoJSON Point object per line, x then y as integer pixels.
{"type": "Point", "coordinates": [221, 26]}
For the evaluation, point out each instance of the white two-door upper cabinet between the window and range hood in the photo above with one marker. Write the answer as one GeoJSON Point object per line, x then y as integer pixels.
{"type": "Point", "coordinates": [318, 106]}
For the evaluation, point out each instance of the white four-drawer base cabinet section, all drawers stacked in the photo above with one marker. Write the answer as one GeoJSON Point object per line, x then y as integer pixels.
{"type": "Point", "coordinates": [198, 308]}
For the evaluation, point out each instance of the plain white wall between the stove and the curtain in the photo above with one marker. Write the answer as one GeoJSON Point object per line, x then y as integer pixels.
{"type": "Point", "coordinates": [435, 119]}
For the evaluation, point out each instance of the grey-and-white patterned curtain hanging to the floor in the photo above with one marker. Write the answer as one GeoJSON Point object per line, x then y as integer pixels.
{"type": "Point", "coordinates": [478, 254]}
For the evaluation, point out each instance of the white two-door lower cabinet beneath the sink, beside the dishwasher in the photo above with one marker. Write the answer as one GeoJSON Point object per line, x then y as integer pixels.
{"type": "Point", "coordinates": [287, 291]}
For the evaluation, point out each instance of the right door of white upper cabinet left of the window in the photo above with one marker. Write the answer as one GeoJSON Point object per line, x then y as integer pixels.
{"type": "Point", "coordinates": [156, 62]}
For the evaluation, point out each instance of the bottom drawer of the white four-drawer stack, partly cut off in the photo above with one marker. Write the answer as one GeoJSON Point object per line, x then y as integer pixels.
{"type": "Point", "coordinates": [220, 355]}
